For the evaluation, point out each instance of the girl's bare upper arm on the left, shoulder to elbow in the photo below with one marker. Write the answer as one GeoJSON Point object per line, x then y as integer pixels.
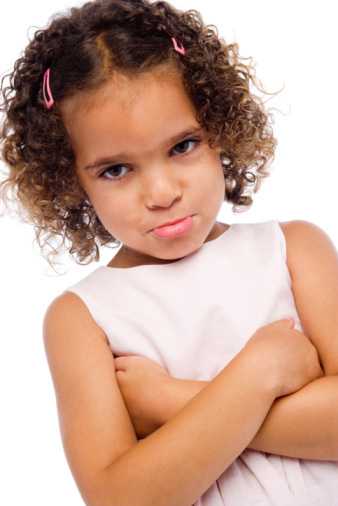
{"type": "Point", "coordinates": [95, 425]}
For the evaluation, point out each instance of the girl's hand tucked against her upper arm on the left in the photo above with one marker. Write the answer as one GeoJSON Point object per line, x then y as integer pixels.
{"type": "Point", "coordinates": [142, 383]}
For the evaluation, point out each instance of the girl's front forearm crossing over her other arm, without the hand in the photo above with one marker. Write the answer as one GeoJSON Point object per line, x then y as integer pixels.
{"type": "Point", "coordinates": [156, 466]}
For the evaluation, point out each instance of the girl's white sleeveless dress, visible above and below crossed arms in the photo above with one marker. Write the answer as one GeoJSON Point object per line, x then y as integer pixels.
{"type": "Point", "coordinates": [193, 316]}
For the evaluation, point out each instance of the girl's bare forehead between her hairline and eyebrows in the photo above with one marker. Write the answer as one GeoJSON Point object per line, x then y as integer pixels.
{"type": "Point", "coordinates": [127, 114]}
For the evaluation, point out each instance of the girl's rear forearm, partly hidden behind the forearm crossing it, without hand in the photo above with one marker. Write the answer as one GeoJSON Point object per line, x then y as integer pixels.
{"type": "Point", "coordinates": [301, 425]}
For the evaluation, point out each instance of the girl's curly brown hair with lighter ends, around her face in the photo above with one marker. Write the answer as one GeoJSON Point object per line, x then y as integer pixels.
{"type": "Point", "coordinates": [83, 47]}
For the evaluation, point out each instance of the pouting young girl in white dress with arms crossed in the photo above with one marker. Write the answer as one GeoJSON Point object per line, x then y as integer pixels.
{"type": "Point", "coordinates": [178, 379]}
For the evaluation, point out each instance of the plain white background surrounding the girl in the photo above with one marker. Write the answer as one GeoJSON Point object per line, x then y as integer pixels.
{"type": "Point", "coordinates": [293, 44]}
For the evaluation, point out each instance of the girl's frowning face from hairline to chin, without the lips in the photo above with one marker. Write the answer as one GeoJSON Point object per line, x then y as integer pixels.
{"type": "Point", "coordinates": [153, 172]}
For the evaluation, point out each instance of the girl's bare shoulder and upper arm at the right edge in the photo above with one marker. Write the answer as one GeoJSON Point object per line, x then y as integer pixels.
{"type": "Point", "coordinates": [313, 264]}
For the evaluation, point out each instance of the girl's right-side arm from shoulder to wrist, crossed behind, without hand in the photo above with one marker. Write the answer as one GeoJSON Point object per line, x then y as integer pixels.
{"type": "Point", "coordinates": [305, 423]}
